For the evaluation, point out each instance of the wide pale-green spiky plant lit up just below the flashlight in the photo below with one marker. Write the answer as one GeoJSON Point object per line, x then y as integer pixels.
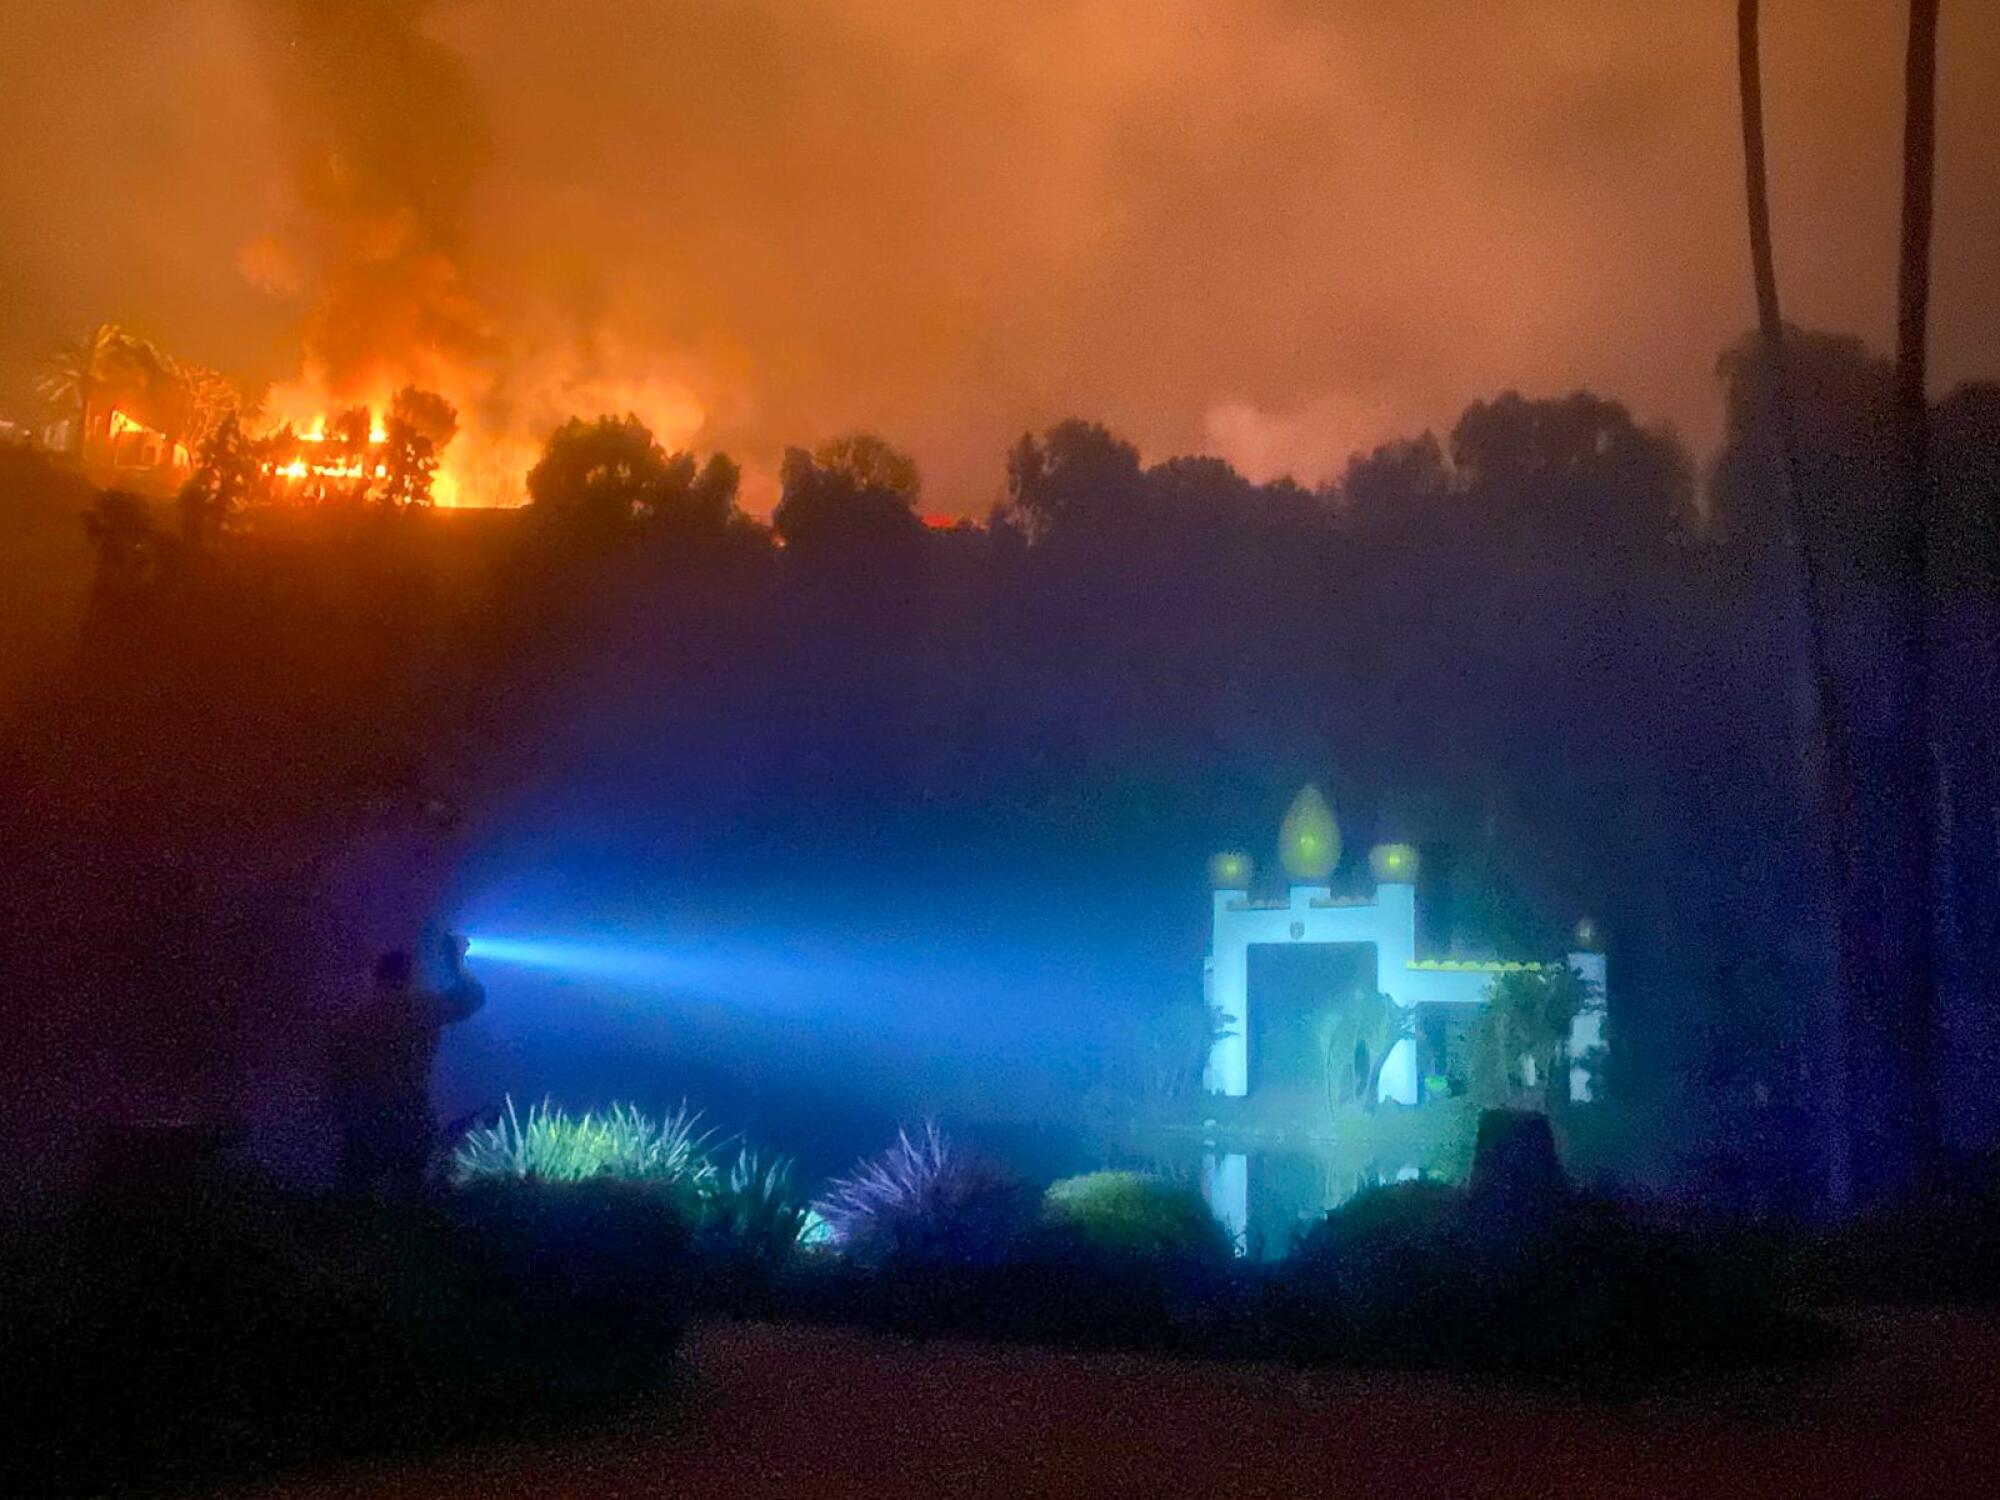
{"type": "Point", "coordinates": [553, 1145]}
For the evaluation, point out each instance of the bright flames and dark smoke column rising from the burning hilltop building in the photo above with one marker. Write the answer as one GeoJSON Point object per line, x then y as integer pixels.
{"type": "Point", "coordinates": [375, 239]}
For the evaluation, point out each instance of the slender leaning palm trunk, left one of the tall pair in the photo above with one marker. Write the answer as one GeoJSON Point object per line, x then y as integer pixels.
{"type": "Point", "coordinates": [1829, 733]}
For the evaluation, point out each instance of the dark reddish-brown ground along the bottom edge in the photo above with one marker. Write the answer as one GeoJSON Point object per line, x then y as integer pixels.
{"type": "Point", "coordinates": [785, 1411]}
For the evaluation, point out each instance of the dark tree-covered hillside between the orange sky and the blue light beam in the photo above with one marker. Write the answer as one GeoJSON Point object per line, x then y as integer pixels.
{"type": "Point", "coordinates": [1543, 647]}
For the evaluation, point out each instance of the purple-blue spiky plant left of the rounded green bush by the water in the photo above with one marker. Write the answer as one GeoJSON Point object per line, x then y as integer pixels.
{"type": "Point", "coordinates": [927, 1201]}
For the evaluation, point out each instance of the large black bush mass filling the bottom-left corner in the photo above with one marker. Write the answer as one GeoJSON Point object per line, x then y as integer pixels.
{"type": "Point", "coordinates": [219, 1327]}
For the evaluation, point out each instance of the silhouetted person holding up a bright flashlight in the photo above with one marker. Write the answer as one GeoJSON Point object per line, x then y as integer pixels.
{"type": "Point", "coordinates": [379, 1071]}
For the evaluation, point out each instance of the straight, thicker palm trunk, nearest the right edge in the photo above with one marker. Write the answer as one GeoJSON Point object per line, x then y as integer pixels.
{"type": "Point", "coordinates": [1915, 1019]}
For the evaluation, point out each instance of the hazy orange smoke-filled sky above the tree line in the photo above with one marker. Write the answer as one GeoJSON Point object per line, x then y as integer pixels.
{"type": "Point", "coordinates": [1267, 229]}
